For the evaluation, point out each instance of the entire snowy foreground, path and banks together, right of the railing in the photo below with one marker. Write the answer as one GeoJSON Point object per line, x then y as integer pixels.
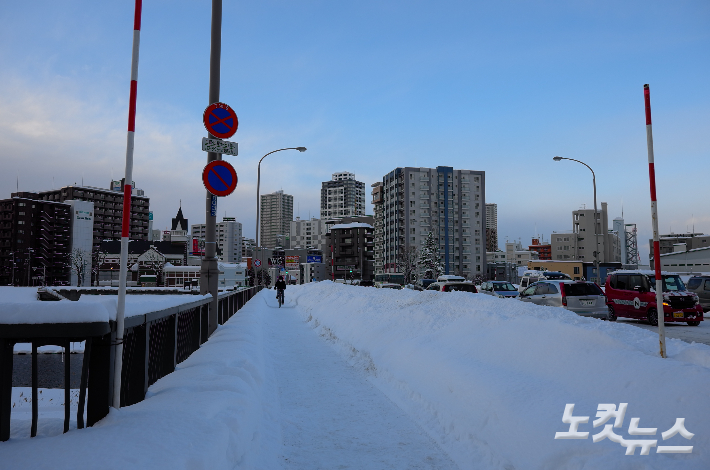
{"type": "Point", "coordinates": [355, 377]}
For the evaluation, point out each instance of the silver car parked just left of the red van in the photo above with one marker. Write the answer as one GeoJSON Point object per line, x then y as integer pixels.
{"type": "Point", "coordinates": [584, 298]}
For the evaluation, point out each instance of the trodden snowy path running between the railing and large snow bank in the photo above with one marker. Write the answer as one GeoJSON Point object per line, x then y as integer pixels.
{"type": "Point", "coordinates": [331, 416]}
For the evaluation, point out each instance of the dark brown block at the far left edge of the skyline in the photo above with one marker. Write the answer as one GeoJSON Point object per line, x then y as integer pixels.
{"type": "Point", "coordinates": [35, 240]}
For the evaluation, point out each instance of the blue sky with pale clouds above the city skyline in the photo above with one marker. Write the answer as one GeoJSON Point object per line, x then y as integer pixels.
{"type": "Point", "coordinates": [367, 87]}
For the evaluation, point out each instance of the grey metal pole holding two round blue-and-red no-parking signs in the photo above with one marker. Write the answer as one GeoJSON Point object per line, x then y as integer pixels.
{"type": "Point", "coordinates": [209, 272]}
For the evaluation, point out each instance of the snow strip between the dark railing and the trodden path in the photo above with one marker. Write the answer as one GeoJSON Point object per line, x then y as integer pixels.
{"type": "Point", "coordinates": [217, 411]}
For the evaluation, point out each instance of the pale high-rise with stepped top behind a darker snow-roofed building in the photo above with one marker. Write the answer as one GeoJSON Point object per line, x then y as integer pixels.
{"type": "Point", "coordinates": [342, 196]}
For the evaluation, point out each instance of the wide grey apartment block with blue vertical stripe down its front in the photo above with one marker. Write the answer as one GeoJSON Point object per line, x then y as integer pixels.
{"type": "Point", "coordinates": [450, 203]}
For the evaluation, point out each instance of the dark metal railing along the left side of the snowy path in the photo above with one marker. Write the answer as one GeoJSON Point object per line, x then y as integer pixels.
{"type": "Point", "coordinates": [153, 345]}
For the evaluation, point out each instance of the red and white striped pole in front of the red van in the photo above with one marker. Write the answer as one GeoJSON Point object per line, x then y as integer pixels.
{"type": "Point", "coordinates": [654, 219]}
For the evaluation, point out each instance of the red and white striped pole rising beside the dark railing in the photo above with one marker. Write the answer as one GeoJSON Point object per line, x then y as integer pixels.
{"type": "Point", "coordinates": [125, 229]}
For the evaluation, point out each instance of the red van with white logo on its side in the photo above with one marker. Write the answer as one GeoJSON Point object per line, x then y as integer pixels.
{"type": "Point", "coordinates": [631, 294]}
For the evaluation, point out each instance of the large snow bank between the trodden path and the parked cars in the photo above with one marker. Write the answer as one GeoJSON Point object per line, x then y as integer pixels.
{"type": "Point", "coordinates": [489, 378]}
